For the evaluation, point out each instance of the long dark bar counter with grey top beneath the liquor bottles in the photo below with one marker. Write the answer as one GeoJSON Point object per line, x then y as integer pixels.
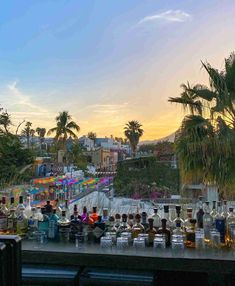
{"type": "Point", "coordinates": [208, 267]}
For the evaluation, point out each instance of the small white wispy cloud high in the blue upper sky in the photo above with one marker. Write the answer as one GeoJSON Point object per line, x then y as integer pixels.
{"type": "Point", "coordinates": [167, 16]}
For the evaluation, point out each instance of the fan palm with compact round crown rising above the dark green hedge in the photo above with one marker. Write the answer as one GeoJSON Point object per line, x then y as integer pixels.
{"type": "Point", "coordinates": [133, 132]}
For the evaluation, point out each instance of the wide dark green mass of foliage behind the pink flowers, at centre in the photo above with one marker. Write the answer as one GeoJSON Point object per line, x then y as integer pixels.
{"type": "Point", "coordinates": [133, 176]}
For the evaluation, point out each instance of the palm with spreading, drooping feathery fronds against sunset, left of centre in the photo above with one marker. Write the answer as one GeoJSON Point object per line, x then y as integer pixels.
{"type": "Point", "coordinates": [64, 127]}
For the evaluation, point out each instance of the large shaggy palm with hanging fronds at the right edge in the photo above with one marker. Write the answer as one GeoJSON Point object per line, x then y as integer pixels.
{"type": "Point", "coordinates": [206, 139]}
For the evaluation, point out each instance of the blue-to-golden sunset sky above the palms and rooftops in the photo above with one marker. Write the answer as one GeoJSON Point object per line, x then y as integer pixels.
{"type": "Point", "coordinates": [108, 61]}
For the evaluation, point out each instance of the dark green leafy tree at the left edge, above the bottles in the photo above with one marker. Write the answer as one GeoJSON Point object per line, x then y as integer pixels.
{"type": "Point", "coordinates": [13, 160]}
